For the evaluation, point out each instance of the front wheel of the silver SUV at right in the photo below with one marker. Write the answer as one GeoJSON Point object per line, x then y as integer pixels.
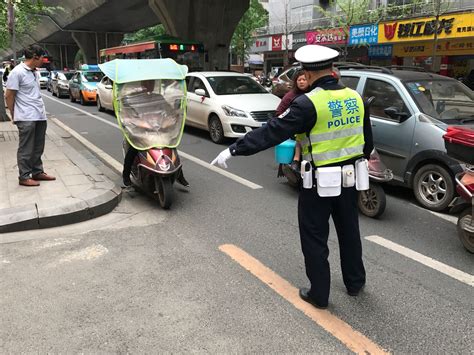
{"type": "Point", "coordinates": [433, 187]}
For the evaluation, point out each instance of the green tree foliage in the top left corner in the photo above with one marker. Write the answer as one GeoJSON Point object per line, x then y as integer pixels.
{"type": "Point", "coordinates": [25, 19]}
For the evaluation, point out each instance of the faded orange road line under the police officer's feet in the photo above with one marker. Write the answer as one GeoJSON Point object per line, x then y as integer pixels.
{"type": "Point", "coordinates": [351, 338]}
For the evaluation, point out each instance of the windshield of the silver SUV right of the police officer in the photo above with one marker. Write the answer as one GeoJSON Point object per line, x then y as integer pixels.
{"type": "Point", "coordinates": [444, 99]}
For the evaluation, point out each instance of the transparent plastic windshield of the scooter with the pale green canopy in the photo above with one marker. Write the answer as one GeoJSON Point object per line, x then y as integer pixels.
{"type": "Point", "coordinates": [151, 112]}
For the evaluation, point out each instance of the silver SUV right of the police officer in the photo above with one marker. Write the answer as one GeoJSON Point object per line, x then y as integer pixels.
{"type": "Point", "coordinates": [409, 116]}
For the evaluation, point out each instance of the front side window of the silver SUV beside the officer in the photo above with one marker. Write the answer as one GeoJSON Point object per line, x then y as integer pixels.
{"type": "Point", "coordinates": [386, 95]}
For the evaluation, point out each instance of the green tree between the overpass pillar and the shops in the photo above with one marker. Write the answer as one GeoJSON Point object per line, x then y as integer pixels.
{"type": "Point", "coordinates": [255, 17]}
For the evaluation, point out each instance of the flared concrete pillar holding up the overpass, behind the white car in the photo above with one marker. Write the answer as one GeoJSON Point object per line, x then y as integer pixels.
{"type": "Point", "coordinates": [211, 22]}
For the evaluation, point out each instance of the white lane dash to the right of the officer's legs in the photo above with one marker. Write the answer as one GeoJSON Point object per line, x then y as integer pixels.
{"type": "Point", "coordinates": [425, 260]}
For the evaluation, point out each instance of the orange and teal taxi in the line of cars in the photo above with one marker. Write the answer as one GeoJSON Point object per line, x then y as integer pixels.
{"type": "Point", "coordinates": [83, 85]}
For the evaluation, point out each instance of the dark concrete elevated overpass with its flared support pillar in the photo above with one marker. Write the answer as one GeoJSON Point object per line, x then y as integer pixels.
{"type": "Point", "coordinates": [94, 24]}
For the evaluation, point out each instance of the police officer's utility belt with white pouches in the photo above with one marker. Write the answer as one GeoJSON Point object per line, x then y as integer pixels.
{"type": "Point", "coordinates": [330, 180]}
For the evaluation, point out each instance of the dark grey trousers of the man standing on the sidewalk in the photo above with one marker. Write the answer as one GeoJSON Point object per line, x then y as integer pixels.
{"type": "Point", "coordinates": [32, 135]}
